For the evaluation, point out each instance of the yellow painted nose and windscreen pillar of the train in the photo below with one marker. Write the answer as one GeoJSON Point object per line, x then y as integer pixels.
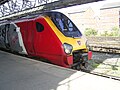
{"type": "Point", "coordinates": [78, 43]}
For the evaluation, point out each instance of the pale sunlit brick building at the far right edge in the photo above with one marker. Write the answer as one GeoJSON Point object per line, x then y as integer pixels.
{"type": "Point", "coordinates": [110, 16]}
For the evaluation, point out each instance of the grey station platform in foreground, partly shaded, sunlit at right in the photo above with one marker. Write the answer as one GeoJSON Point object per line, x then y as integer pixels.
{"type": "Point", "coordinates": [21, 73]}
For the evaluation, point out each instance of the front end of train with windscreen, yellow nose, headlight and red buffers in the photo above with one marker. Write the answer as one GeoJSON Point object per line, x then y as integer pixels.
{"type": "Point", "coordinates": [74, 44]}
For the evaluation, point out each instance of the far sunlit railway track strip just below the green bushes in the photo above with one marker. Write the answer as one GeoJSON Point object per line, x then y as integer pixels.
{"type": "Point", "coordinates": [104, 44]}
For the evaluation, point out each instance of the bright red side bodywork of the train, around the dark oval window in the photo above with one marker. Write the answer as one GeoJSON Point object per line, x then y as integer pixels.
{"type": "Point", "coordinates": [43, 44]}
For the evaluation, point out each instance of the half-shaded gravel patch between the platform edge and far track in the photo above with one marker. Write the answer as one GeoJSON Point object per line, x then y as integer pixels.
{"type": "Point", "coordinates": [107, 64]}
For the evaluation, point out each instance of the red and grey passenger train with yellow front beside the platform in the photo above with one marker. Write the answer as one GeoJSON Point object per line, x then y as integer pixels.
{"type": "Point", "coordinates": [50, 35]}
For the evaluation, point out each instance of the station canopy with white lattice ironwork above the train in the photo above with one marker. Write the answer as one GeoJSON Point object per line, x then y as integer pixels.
{"type": "Point", "coordinates": [11, 8]}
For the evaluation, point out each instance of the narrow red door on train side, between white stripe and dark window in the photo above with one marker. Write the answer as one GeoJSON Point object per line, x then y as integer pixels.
{"type": "Point", "coordinates": [30, 38]}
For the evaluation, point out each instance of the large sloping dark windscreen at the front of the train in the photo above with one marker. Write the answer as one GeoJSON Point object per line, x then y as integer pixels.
{"type": "Point", "coordinates": [64, 24]}
